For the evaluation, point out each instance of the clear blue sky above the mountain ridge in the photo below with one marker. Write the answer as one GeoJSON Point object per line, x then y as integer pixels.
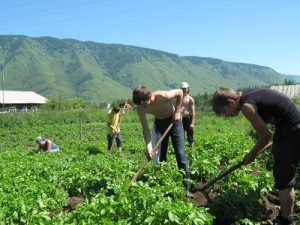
{"type": "Point", "coordinates": [261, 32]}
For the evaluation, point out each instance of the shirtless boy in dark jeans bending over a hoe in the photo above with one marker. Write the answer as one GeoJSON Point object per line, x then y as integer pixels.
{"type": "Point", "coordinates": [160, 105]}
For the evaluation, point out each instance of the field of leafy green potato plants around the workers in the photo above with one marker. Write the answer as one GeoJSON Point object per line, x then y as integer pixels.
{"type": "Point", "coordinates": [38, 188]}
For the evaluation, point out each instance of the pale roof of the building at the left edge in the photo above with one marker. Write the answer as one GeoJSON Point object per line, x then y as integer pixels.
{"type": "Point", "coordinates": [21, 97]}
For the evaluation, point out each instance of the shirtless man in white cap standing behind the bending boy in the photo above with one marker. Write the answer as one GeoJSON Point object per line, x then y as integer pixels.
{"type": "Point", "coordinates": [188, 113]}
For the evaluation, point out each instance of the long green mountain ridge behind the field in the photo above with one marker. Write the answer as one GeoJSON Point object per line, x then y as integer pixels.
{"type": "Point", "coordinates": [103, 72]}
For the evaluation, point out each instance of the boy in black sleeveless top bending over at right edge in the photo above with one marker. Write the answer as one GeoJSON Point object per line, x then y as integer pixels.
{"type": "Point", "coordinates": [262, 106]}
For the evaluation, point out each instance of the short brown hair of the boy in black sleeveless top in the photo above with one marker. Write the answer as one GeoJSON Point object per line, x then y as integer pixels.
{"type": "Point", "coordinates": [220, 99]}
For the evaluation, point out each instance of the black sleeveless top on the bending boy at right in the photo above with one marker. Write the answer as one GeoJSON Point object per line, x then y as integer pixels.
{"type": "Point", "coordinates": [272, 106]}
